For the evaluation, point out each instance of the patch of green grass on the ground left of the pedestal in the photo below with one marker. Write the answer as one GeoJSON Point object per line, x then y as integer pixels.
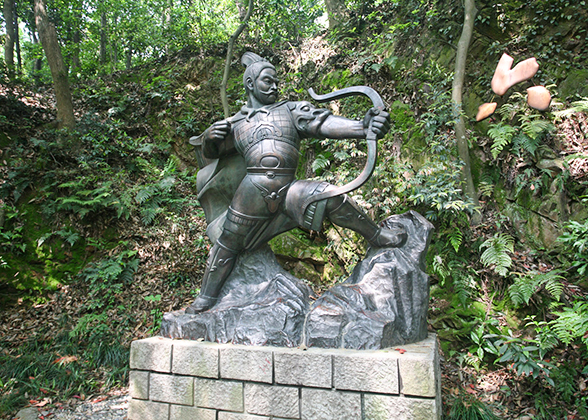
{"type": "Point", "coordinates": [64, 365]}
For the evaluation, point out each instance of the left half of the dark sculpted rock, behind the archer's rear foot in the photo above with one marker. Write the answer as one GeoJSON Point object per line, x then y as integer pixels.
{"type": "Point", "coordinates": [260, 304]}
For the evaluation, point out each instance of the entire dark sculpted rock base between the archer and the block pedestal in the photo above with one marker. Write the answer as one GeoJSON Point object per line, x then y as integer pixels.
{"type": "Point", "coordinates": [382, 304]}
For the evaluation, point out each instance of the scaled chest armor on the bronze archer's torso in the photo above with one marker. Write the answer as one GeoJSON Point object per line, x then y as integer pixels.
{"type": "Point", "coordinates": [268, 139]}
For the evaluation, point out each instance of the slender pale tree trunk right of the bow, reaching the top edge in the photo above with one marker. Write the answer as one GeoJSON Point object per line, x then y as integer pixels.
{"type": "Point", "coordinates": [456, 95]}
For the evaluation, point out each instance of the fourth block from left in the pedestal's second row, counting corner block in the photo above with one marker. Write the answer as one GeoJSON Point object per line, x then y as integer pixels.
{"type": "Point", "coordinates": [280, 401]}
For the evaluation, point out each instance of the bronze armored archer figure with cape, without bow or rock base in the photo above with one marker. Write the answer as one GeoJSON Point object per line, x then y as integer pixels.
{"type": "Point", "coordinates": [248, 186]}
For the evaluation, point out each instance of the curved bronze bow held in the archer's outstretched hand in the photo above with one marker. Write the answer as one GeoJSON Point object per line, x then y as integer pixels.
{"type": "Point", "coordinates": [372, 144]}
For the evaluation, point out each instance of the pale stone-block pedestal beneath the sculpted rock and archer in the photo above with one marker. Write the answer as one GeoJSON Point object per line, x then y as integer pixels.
{"type": "Point", "coordinates": [191, 380]}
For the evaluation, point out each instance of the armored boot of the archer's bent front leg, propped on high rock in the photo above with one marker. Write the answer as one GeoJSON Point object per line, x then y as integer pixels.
{"type": "Point", "coordinates": [348, 214]}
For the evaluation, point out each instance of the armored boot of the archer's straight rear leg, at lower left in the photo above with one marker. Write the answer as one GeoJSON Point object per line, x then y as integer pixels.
{"type": "Point", "coordinates": [218, 267]}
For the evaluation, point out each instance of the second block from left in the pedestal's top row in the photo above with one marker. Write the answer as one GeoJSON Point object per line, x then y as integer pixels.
{"type": "Point", "coordinates": [195, 358]}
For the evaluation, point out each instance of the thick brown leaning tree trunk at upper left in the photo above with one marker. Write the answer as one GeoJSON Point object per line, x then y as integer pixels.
{"type": "Point", "coordinates": [65, 117]}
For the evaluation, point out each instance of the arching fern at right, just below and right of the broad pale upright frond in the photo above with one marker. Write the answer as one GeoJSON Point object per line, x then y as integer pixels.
{"type": "Point", "coordinates": [528, 284]}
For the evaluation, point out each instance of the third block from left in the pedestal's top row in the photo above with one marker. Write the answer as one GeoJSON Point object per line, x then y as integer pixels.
{"type": "Point", "coordinates": [247, 364]}
